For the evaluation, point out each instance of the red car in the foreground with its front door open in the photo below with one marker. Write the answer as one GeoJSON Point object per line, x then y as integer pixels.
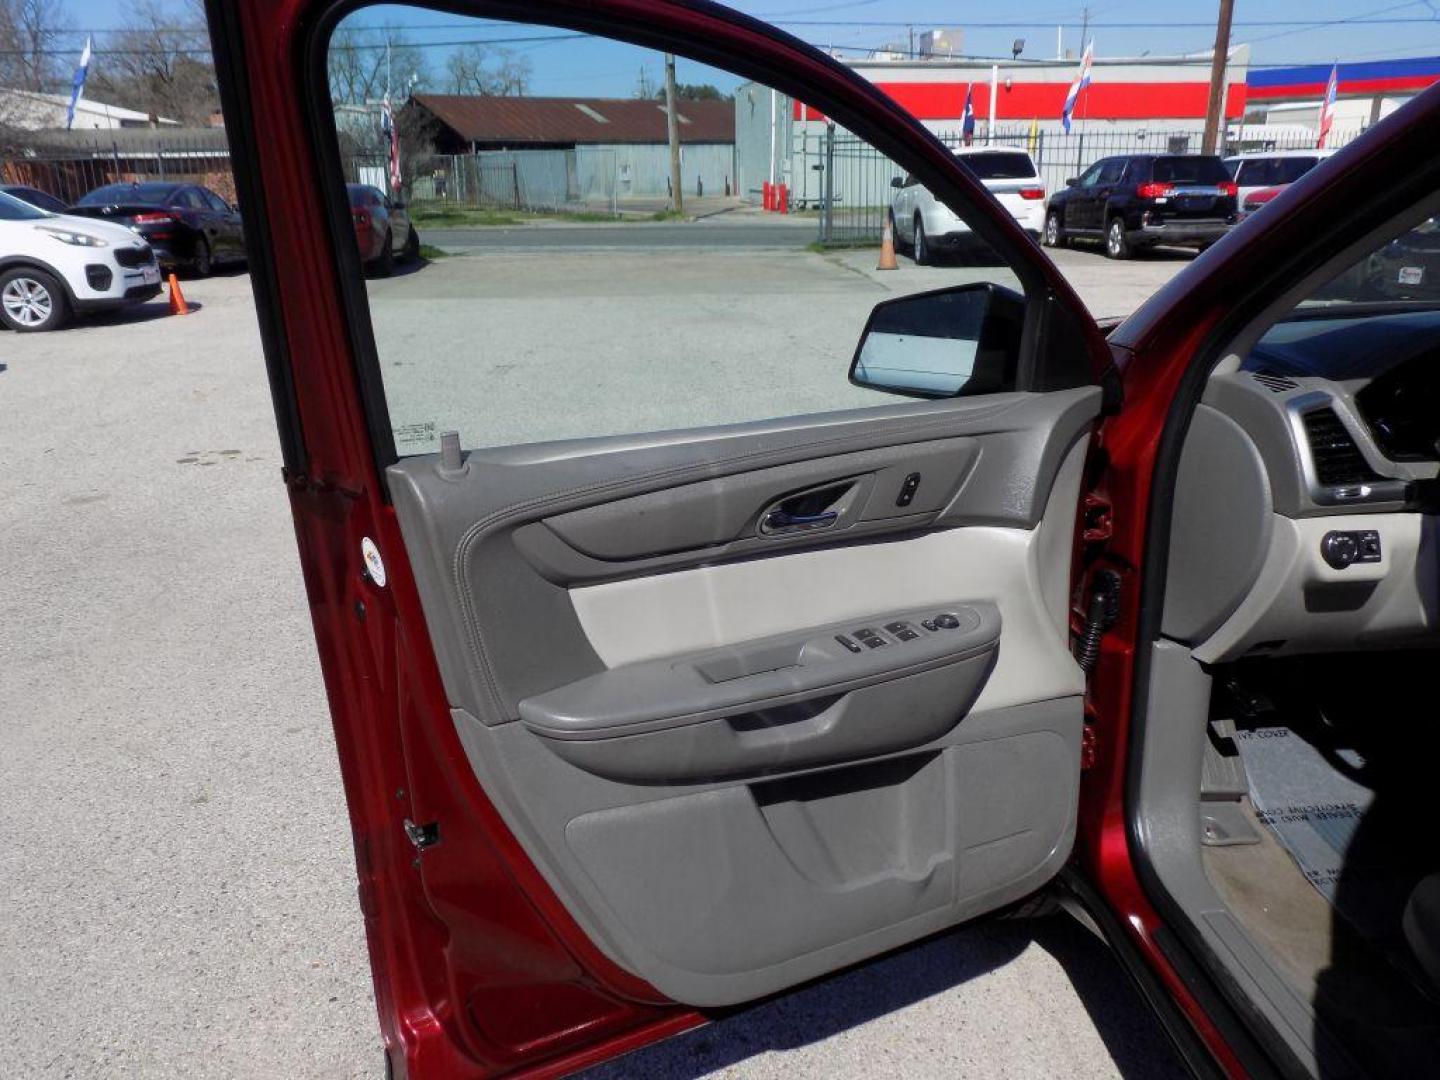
{"type": "Point", "coordinates": [643, 726]}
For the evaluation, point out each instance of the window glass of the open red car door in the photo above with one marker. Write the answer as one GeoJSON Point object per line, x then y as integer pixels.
{"type": "Point", "coordinates": [575, 287]}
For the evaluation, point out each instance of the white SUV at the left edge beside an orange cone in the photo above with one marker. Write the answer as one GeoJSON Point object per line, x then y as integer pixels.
{"type": "Point", "coordinates": [54, 266]}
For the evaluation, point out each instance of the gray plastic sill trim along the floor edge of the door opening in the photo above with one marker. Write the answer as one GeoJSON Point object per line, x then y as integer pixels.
{"type": "Point", "coordinates": [1169, 814]}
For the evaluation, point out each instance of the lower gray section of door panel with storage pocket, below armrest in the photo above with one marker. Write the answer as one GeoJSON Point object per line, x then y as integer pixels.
{"type": "Point", "coordinates": [804, 873]}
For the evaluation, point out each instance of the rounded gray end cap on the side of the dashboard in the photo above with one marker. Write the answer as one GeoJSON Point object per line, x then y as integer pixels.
{"type": "Point", "coordinates": [1222, 529]}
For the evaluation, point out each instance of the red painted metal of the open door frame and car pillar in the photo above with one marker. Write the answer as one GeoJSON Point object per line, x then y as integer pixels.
{"type": "Point", "coordinates": [482, 932]}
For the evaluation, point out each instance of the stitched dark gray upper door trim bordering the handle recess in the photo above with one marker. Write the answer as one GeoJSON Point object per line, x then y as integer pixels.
{"type": "Point", "coordinates": [503, 633]}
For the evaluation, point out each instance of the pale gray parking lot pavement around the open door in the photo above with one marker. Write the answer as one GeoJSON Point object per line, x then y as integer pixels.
{"type": "Point", "coordinates": [178, 882]}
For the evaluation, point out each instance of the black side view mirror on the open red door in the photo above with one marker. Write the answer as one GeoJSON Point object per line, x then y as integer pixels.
{"type": "Point", "coordinates": [944, 343]}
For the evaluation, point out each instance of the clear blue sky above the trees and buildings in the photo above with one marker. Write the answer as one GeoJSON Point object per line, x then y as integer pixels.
{"type": "Point", "coordinates": [1328, 31]}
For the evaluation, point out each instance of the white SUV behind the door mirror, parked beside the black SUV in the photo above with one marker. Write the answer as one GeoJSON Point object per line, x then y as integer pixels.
{"type": "Point", "coordinates": [925, 225]}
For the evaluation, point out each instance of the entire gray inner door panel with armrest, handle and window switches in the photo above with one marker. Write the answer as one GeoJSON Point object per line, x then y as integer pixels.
{"type": "Point", "coordinates": [644, 669]}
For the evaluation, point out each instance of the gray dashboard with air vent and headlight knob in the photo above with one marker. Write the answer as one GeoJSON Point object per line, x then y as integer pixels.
{"type": "Point", "coordinates": [1305, 502]}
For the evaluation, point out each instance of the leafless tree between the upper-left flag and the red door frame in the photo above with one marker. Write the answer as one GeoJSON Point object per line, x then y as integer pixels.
{"type": "Point", "coordinates": [159, 64]}
